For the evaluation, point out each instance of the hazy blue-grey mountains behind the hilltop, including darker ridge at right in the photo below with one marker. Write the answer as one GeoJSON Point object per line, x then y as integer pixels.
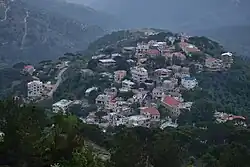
{"type": "Point", "coordinates": [227, 21]}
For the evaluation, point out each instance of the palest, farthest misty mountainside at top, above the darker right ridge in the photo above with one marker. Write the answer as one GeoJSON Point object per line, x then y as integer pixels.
{"type": "Point", "coordinates": [176, 15]}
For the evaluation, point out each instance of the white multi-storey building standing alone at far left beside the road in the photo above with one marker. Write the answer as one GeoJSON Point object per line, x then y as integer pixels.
{"type": "Point", "coordinates": [35, 89]}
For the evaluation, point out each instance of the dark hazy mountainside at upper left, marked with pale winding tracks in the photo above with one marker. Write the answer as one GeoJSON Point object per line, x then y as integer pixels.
{"type": "Point", "coordinates": [34, 30]}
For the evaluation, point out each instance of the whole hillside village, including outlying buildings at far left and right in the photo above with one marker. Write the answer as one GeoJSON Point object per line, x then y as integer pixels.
{"type": "Point", "coordinates": [145, 82]}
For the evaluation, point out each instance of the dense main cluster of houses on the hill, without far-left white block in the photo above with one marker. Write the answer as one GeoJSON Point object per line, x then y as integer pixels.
{"type": "Point", "coordinates": [155, 93]}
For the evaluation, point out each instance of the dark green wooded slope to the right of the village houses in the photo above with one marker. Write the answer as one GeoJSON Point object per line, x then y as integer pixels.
{"type": "Point", "coordinates": [225, 91]}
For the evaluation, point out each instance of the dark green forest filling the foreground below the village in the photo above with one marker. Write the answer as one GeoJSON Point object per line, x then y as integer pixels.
{"type": "Point", "coordinates": [29, 137]}
